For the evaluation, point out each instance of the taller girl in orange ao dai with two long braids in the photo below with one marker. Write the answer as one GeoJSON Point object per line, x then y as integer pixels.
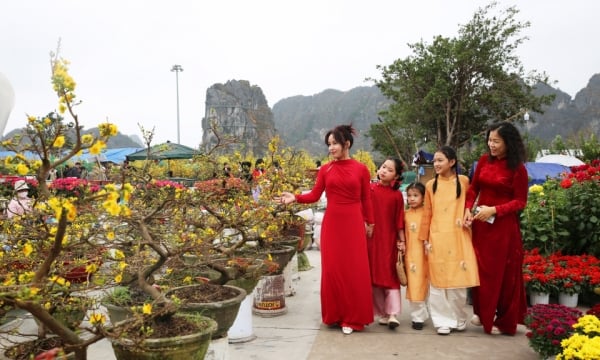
{"type": "Point", "coordinates": [452, 262]}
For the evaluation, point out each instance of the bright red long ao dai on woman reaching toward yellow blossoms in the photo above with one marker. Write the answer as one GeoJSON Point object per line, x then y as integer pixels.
{"type": "Point", "coordinates": [346, 296]}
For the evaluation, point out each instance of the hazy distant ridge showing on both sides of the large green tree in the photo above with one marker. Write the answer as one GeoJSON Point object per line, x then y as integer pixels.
{"type": "Point", "coordinates": [302, 121]}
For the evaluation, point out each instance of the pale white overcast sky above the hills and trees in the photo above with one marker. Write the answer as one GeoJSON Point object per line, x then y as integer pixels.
{"type": "Point", "coordinates": [122, 51]}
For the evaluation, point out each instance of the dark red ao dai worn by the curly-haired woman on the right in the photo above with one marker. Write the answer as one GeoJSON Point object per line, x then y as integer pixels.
{"type": "Point", "coordinates": [500, 299]}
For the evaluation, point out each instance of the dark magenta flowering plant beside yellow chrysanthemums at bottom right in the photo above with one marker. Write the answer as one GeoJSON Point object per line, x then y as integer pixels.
{"type": "Point", "coordinates": [548, 325]}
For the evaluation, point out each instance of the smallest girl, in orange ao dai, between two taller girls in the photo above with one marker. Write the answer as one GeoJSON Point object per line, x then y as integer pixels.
{"type": "Point", "coordinates": [417, 268]}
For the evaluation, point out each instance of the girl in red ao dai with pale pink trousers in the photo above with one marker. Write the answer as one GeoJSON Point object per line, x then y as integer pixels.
{"type": "Point", "coordinates": [384, 241]}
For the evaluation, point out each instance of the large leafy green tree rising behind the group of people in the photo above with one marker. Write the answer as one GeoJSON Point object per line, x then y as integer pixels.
{"type": "Point", "coordinates": [449, 90]}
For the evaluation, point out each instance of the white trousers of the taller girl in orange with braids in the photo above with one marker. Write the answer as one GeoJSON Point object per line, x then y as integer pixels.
{"type": "Point", "coordinates": [447, 306]}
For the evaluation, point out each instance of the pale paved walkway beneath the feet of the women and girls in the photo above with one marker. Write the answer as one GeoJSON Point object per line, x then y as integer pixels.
{"type": "Point", "coordinates": [299, 335]}
